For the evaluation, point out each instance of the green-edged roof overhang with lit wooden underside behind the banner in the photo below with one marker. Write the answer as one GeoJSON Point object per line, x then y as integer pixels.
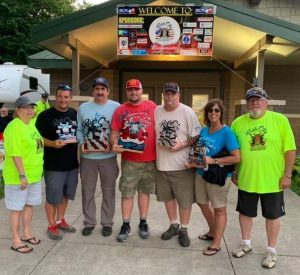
{"type": "Point", "coordinates": [239, 33]}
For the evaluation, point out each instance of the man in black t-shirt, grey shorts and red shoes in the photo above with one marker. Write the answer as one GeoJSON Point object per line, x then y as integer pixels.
{"type": "Point", "coordinates": [58, 127]}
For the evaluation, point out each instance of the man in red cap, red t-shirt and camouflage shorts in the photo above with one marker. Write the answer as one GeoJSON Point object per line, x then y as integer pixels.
{"type": "Point", "coordinates": [133, 136]}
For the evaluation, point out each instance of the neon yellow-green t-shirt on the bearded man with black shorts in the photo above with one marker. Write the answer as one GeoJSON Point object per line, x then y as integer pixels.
{"type": "Point", "coordinates": [263, 142]}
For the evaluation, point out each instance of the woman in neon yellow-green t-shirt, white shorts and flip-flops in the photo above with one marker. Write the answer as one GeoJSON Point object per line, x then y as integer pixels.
{"type": "Point", "coordinates": [22, 173]}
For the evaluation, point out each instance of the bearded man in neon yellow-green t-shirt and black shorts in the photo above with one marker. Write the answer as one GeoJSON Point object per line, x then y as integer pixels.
{"type": "Point", "coordinates": [267, 157]}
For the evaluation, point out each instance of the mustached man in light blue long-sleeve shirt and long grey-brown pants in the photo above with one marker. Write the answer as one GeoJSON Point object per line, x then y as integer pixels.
{"type": "Point", "coordinates": [94, 119]}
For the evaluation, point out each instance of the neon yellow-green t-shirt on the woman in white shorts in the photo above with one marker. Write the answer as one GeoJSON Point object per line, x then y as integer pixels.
{"type": "Point", "coordinates": [22, 140]}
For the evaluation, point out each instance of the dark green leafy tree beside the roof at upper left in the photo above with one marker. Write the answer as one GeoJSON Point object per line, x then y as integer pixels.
{"type": "Point", "coordinates": [16, 19]}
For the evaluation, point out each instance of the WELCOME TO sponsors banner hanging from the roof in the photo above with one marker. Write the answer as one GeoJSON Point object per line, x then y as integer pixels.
{"type": "Point", "coordinates": [165, 30]}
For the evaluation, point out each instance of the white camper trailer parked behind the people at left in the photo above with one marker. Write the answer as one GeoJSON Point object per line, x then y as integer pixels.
{"type": "Point", "coordinates": [15, 79]}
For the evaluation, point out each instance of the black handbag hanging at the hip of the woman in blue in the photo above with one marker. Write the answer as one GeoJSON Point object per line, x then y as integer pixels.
{"type": "Point", "coordinates": [217, 174]}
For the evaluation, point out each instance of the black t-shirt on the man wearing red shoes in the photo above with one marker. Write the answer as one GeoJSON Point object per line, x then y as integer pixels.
{"type": "Point", "coordinates": [53, 124]}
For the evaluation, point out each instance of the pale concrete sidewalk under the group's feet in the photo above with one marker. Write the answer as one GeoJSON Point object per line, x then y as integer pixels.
{"type": "Point", "coordinates": [76, 254]}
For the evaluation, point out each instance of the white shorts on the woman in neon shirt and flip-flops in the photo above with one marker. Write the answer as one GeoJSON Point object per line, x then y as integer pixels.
{"type": "Point", "coordinates": [15, 198]}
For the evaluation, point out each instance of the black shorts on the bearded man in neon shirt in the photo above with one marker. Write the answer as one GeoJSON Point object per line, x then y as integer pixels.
{"type": "Point", "coordinates": [272, 204]}
